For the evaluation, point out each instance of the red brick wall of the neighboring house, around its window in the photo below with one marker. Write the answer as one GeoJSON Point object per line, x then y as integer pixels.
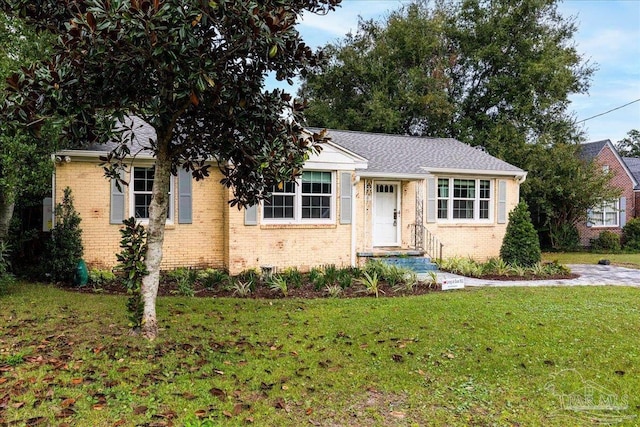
{"type": "Point", "coordinates": [620, 180]}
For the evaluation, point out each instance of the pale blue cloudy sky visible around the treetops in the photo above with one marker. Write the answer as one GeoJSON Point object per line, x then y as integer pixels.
{"type": "Point", "coordinates": [608, 36]}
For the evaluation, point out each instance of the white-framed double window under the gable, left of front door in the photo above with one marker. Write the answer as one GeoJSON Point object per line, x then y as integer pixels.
{"type": "Point", "coordinates": [309, 199]}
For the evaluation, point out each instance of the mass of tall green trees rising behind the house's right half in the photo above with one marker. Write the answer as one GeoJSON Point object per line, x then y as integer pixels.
{"type": "Point", "coordinates": [495, 73]}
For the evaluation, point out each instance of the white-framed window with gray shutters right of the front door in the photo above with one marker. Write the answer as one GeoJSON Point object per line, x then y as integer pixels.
{"type": "Point", "coordinates": [464, 199]}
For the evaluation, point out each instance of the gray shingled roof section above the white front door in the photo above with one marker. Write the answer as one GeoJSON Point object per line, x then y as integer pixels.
{"type": "Point", "coordinates": [397, 154]}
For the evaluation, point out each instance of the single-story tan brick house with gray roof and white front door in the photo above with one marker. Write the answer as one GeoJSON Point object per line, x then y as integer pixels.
{"type": "Point", "coordinates": [363, 195]}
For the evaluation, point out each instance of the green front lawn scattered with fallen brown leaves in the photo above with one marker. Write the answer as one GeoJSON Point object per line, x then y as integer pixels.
{"type": "Point", "coordinates": [486, 356]}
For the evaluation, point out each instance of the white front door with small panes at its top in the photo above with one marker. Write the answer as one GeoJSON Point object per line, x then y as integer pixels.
{"type": "Point", "coordinates": [386, 217]}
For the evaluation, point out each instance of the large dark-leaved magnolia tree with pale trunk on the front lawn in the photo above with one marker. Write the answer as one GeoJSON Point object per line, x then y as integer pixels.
{"type": "Point", "coordinates": [192, 69]}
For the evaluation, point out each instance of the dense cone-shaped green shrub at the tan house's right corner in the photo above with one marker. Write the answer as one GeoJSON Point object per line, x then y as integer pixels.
{"type": "Point", "coordinates": [520, 245]}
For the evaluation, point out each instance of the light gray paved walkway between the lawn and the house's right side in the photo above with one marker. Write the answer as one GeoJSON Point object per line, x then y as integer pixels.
{"type": "Point", "coordinates": [592, 274]}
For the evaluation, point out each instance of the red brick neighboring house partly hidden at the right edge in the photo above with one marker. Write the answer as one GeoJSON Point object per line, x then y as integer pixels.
{"type": "Point", "coordinates": [612, 215]}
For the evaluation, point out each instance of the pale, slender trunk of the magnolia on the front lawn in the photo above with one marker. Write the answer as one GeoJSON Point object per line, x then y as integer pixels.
{"type": "Point", "coordinates": [155, 239]}
